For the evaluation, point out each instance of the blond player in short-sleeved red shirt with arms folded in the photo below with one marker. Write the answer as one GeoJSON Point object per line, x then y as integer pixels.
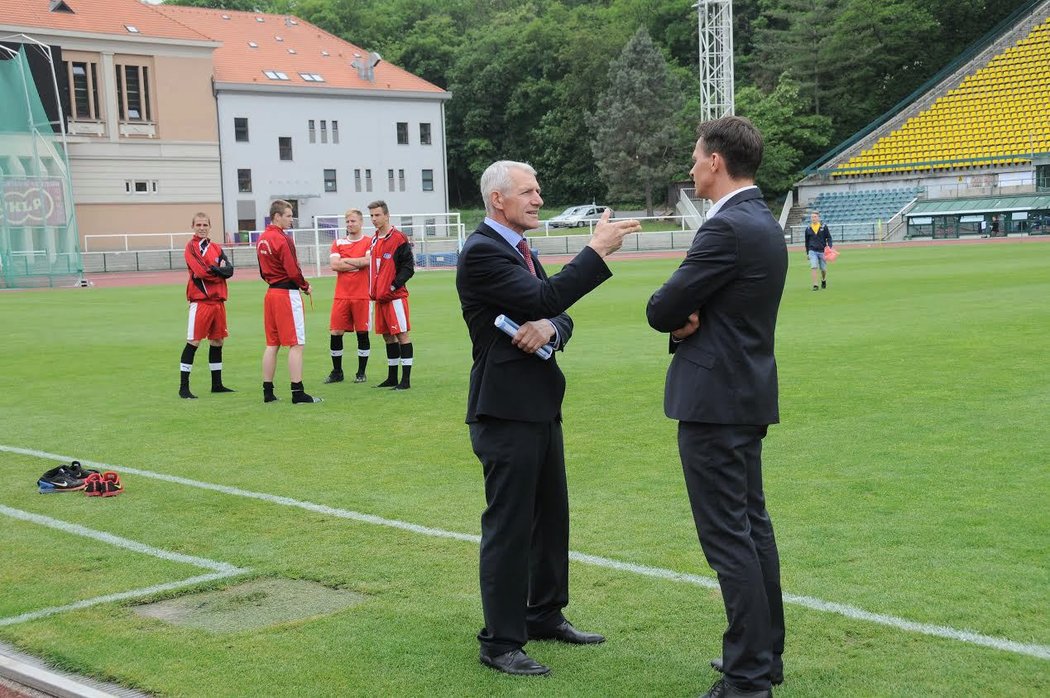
{"type": "Point", "coordinates": [351, 308]}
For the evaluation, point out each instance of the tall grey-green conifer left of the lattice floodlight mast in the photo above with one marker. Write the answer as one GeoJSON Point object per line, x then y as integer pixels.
{"type": "Point", "coordinates": [636, 124]}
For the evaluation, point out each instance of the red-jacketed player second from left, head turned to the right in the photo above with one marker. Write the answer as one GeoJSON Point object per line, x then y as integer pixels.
{"type": "Point", "coordinates": [283, 316]}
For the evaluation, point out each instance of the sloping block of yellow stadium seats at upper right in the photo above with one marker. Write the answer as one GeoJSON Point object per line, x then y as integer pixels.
{"type": "Point", "coordinates": [998, 116]}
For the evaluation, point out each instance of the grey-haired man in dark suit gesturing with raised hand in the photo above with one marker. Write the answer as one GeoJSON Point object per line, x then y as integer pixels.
{"type": "Point", "coordinates": [515, 418]}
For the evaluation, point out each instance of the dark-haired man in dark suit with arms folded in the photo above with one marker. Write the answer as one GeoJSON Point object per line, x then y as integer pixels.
{"type": "Point", "coordinates": [721, 308]}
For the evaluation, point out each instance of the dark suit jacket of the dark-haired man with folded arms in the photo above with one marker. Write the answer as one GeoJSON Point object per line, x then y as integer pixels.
{"type": "Point", "coordinates": [734, 274]}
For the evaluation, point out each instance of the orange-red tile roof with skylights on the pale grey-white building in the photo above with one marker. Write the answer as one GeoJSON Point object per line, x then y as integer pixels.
{"type": "Point", "coordinates": [276, 38]}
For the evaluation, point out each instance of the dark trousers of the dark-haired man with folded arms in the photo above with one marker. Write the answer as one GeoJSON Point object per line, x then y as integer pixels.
{"type": "Point", "coordinates": [724, 477]}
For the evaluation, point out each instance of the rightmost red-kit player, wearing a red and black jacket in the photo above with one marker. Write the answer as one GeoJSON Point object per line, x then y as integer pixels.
{"type": "Point", "coordinates": [392, 266]}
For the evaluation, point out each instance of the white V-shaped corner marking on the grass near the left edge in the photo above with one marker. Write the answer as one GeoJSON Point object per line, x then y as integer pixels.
{"type": "Point", "coordinates": [221, 570]}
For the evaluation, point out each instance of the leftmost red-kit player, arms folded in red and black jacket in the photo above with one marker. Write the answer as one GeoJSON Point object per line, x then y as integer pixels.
{"type": "Point", "coordinates": [207, 293]}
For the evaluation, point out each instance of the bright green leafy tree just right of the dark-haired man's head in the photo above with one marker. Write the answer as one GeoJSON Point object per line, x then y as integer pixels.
{"type": "Point", "coordinates": [788, 130]}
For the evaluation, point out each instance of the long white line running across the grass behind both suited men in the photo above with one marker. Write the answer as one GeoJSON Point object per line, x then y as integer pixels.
{"type": "Point", "coordinates": [853, 612]}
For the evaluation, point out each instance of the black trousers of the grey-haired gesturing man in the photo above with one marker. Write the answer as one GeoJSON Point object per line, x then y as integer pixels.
{"type": "Point", "coordinates": [524, 531]}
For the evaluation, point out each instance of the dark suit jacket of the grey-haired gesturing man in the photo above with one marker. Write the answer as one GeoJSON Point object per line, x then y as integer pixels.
{"type": "Point", "coordinates": [492, 279]}
